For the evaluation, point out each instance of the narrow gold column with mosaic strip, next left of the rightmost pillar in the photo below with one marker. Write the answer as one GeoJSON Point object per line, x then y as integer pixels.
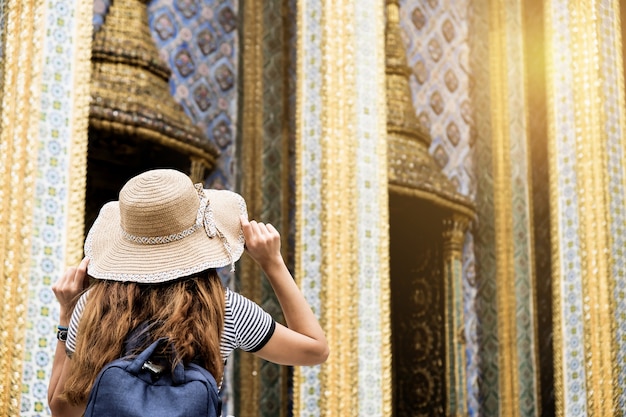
{"type": "Point", "coordinates": [515, 276]}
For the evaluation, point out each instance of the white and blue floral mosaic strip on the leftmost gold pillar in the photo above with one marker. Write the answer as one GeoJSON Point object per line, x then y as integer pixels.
{"type": "Point", "coordinates": [49, 210]}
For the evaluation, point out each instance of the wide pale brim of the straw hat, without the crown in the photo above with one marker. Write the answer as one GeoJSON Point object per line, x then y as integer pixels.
{"type": "Point", "coordinates": [112, 256]}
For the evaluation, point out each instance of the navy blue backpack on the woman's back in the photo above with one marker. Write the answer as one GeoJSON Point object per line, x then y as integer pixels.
{"type": "Point", "coordinates": [138, 387]}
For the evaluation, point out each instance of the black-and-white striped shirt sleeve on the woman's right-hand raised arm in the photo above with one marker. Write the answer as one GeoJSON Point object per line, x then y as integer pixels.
{"type": "Point", "coordinates": [246, 325]}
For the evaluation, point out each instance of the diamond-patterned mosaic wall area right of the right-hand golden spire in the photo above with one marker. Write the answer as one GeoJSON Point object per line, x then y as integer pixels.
{"type": "Point", "coordinates": [436, 34]}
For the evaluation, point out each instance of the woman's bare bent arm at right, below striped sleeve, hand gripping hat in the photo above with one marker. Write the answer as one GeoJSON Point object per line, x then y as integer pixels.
{"type": "Point", "coordinates": [303, 341]}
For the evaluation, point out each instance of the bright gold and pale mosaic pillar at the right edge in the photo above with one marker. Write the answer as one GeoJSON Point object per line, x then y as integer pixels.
{"type": "Point", "coordinates": [587, 130]}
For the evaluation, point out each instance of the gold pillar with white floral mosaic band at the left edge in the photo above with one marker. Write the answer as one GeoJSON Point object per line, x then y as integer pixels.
{"type": "Point", "coordinates": [42, 172]}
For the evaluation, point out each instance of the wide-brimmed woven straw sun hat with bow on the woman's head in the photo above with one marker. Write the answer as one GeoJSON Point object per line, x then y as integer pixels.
{"type": "Point", "coordinates": [163, 228]}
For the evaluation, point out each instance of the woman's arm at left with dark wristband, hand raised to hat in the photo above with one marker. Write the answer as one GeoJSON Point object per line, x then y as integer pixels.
{"type": "Point", "coordinates": [66, 290]}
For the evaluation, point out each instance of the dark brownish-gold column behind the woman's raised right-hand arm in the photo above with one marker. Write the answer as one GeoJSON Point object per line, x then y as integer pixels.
{"type": "Point", "coordinates": [264, 150]}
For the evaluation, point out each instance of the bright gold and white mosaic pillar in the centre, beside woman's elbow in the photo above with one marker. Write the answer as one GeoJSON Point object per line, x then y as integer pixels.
{"type": "Point", "coordinates": [341, 205]}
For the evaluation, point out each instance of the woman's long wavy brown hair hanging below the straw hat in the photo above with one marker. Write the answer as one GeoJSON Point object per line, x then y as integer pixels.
{"type": "Point", "coordinates": [190, 313]}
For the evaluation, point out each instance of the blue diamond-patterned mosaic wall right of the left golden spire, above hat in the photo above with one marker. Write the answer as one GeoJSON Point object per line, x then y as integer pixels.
{"type": "Point", "coordinates": [199, 42]}
